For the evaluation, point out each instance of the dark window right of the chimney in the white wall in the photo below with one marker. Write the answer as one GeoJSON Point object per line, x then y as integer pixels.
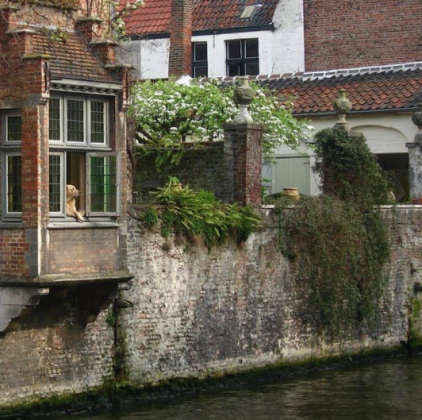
{"type": "Point", "coordinates": [242, 57]}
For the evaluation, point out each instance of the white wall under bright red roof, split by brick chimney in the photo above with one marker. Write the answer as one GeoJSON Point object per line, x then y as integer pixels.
{"type": "Point", "coordinates": [280, 51]}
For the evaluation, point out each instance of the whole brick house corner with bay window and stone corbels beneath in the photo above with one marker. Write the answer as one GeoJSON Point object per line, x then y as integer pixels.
{"type": "Point", "coordinates": [62, 103]}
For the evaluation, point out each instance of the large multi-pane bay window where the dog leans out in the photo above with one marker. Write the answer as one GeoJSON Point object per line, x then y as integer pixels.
{"type": "Point", "coordinates": [79, 139]}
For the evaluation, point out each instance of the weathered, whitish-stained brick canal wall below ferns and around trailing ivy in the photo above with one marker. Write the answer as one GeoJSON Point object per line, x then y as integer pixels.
{"type": "Point", "coordinates": [198, 312]}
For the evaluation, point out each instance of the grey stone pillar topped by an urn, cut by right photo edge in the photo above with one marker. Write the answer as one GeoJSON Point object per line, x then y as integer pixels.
{"type": "Point", "coordinates": [415, 159]}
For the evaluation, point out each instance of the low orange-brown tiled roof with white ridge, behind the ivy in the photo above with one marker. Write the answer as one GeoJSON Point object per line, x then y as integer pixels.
{"type": "Point", "coordinates": [369, 89]}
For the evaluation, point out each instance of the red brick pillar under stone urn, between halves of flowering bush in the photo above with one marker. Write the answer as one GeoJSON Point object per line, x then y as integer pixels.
{"type": "Point", "coordinates": [242, 142]}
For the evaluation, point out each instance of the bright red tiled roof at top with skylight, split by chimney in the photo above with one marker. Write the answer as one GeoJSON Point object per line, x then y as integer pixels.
{"type": "Point", "coordinates": [153, 17]}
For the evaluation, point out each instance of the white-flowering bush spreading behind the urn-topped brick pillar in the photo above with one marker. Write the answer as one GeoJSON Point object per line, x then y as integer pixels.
{"type": "Point", "coordinates": [167, 112]}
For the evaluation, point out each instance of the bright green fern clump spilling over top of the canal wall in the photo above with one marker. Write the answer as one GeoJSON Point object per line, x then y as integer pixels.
{"type": "Point", "coordinates": [199, 215]}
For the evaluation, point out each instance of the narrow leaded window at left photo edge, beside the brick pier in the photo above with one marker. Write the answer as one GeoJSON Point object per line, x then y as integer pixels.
{"type": "Point", "coordinates": [12, 164]}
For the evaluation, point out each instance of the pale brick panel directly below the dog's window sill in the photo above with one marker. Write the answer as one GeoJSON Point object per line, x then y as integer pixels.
{"type": "Point", "coordinates": [82, 251]}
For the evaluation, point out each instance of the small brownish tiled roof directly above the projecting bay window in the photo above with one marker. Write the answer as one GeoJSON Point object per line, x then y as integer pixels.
{"type": "Point", "coordinates": [71, 59]}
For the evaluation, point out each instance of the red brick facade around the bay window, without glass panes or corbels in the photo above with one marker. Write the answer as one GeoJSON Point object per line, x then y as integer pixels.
{"type": "Point", "coordinates": [34, 64]}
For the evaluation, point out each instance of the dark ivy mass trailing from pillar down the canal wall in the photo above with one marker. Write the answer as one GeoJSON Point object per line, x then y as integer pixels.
{"type": "Point", "coordinates": [338, 240]}
